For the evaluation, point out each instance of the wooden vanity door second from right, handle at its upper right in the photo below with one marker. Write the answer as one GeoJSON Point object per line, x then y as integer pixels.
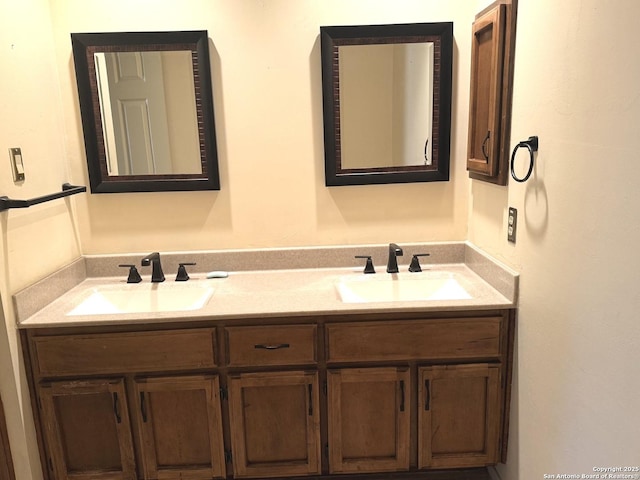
{"type": "Point", "coordinates": [368, 419]}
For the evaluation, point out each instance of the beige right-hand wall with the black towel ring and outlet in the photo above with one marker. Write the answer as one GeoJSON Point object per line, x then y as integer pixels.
{"type": "Point", "coordinates": [576, 87]}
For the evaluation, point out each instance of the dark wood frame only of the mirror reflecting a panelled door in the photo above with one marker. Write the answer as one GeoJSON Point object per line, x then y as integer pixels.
{"type": "Point", "coordinates": [85, 45]}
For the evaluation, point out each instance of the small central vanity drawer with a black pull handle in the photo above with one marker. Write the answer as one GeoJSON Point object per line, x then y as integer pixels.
{"type": "Point", "coordinates": [272, 345]}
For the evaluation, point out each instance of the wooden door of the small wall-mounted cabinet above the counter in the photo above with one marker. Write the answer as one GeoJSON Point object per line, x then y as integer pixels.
{"type": "Point", "coordinates": [487, 52]}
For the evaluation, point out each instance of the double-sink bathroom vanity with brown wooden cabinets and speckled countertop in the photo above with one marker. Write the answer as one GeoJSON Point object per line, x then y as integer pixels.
{"type": "Point", "coordinates": [292, 370]}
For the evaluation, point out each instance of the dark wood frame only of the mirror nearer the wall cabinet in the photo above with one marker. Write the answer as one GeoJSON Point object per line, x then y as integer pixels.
{"type": "Point", "coordinates": [441, 34]}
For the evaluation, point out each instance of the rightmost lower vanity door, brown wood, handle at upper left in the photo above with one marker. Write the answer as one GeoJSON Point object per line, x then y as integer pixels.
{"type": "Point", "coordinates": [458, 416]}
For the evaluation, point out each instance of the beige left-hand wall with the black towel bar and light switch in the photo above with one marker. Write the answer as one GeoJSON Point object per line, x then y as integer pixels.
{"type": "Point", "coordinates": [33, 241]}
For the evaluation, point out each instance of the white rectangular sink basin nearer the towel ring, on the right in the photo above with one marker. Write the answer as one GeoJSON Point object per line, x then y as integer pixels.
{"type": "Point", "coordinates": [402, 287]}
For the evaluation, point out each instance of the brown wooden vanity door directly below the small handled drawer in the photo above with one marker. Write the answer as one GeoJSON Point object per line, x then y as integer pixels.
{"type": "Point", "coordinates": [275, 424]}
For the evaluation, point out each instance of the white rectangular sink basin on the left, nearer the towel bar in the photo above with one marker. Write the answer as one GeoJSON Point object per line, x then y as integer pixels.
{"type": "Point", "coordinates": [143, 298]}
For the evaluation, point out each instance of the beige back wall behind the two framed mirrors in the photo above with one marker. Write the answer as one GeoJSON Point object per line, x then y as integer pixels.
{"type": "Point", "coordinates": [268, 107]}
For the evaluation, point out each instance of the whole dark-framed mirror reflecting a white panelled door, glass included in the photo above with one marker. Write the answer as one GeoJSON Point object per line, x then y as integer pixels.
{"type": "Point", "coordinates": [147, 110]}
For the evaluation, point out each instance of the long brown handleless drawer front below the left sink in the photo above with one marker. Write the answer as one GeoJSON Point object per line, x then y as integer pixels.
{"type": "Point", "coordinates": [124, 352]}
